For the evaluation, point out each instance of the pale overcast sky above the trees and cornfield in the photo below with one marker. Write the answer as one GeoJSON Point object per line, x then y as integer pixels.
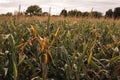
{"type": "Point", "coordinates": [58, 5]}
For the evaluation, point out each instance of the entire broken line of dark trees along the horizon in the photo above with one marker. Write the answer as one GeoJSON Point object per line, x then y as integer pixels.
{"type": "Point", "coordinates": [35, 10]}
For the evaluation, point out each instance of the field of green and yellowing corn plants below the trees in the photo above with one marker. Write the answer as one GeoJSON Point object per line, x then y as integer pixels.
{"type": "Point", "coordinates": [59, 48]}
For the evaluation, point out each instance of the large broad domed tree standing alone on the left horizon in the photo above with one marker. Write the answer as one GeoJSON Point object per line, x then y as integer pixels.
{"type": "Point", "coordinates": [34, 10]}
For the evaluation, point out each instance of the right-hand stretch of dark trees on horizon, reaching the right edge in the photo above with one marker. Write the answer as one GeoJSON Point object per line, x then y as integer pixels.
{"type": "Point", "coordinates": [109, 13]}
